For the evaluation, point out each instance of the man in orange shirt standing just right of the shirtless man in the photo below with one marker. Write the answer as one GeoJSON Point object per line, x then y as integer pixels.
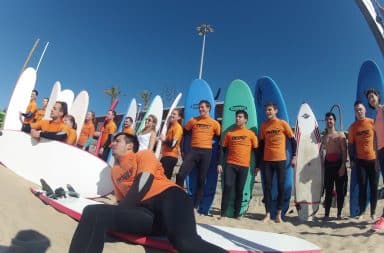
{"type": "Point", "coordinates": [362, 152]}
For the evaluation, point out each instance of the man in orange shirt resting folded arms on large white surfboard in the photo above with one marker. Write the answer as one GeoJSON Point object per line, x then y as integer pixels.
{"type": "Point", "coordinates": [54, 129]}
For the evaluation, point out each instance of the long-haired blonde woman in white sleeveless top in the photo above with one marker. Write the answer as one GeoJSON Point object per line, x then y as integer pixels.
{"type": "Point", "coordinates": [147, 136]}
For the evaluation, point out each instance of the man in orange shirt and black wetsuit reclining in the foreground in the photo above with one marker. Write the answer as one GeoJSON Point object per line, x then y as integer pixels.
{"type": "Point", "coordinates": [148, 204]}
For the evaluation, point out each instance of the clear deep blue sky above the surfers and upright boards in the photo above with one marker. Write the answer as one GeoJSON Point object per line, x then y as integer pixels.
{"type": "Point", "coordinates": [312, 49]}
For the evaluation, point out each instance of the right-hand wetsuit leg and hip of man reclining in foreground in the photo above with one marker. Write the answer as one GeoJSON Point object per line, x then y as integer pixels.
{"type": "Point", "coordinates": [179, 221]}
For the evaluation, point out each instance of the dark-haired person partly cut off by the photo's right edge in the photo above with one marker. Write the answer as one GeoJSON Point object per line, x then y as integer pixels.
{"type": "Point", "coordinates": [374, 101]}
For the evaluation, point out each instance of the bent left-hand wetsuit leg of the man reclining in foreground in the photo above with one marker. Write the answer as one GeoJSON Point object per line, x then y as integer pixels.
{"type": "Point", "coordinates": [96, 220]}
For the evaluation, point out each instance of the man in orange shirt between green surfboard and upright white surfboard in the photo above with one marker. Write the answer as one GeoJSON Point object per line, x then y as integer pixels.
{"type": "Point", "coordinates": [273, 136]}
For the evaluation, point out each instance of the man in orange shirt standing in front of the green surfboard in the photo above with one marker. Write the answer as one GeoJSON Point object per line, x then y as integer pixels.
{"type": "Point", "coordinates": [238, 144]}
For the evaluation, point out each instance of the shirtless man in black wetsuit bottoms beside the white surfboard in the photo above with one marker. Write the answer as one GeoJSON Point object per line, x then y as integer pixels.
{"type": "Point", "coordinates": [334, 156]}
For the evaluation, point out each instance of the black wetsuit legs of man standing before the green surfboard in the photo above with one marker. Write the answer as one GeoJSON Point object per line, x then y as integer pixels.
{"type": "Point", "coordinates": [234, 177]}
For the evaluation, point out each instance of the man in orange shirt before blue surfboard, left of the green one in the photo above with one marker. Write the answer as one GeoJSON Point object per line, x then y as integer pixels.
{"type": "Point", "coordinates": [202, 129]}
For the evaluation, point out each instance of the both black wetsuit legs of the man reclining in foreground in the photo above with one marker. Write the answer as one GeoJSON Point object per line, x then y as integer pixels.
{"type": "Point", "coordinates": [169, 213]}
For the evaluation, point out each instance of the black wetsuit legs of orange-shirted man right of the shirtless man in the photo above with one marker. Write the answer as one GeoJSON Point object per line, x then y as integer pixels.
{"type": "Point", "coordinates": [366, 172]}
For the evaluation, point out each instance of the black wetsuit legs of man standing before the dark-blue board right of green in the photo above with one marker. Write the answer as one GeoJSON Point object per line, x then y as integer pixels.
{"type": "Point", "coordinates": [270, 168]}
